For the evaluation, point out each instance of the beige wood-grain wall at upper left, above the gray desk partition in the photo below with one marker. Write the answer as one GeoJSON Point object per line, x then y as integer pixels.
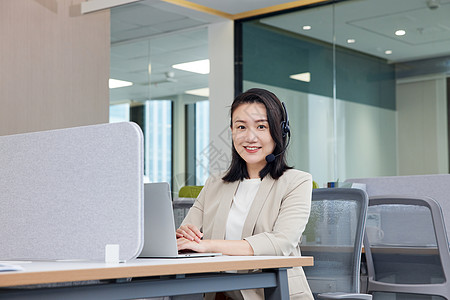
{"type": "Point", "coordinates": [54, 65]}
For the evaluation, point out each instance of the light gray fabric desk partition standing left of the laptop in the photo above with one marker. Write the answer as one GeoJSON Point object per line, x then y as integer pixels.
{"type": "Point", "coordinates": [66, 194]}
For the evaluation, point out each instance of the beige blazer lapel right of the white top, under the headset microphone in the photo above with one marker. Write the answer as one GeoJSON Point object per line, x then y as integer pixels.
{"type": "Point", "coordinates": [257, 205]}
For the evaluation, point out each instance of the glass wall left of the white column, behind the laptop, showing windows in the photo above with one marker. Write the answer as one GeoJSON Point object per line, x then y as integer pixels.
{"type": "Point", "coordinates": [148, 56]}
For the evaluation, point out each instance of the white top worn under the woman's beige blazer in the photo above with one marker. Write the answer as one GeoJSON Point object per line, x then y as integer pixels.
{"type": "Point", "coordinates": [240, 206]}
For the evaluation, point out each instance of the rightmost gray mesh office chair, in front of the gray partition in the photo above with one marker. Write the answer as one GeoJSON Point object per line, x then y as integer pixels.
{"type": "Point", "coordinates": [407, 254]}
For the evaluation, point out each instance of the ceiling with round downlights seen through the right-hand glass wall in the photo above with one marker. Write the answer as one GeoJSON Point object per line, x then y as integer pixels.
{"type": "Point", "coordinates": [372, 25]}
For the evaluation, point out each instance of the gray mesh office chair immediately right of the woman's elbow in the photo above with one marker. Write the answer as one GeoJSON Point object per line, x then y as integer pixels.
{"type": "Point", "coordinates": [333, 236]}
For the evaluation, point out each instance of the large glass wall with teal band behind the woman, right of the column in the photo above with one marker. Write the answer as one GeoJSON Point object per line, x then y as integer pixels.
{"type": "Point", "coordinates": [363, 101]}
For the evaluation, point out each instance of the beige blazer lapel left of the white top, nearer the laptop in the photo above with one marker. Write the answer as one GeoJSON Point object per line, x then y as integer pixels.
{"type": "Point", "coordinates": [226, 198]}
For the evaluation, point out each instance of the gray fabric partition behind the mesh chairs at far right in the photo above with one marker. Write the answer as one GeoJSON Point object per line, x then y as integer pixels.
{"type": "Point", "coordinates": [436, 186]}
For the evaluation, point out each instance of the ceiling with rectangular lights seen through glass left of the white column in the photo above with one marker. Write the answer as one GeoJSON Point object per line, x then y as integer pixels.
{"type": "Point", "coordinates": [136, 42]}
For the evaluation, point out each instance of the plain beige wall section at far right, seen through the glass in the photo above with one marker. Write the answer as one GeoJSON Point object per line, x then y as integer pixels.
{"type": "Point", "coordinates": [422, 126]}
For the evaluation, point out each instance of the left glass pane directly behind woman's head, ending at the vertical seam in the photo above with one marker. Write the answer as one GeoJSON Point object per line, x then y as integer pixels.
{"type": "Point", "coordinates": [300, 72]}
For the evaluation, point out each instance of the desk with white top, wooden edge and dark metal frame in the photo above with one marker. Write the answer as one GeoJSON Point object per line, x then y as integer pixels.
{"type": "Point", "coordinates": [151, 277]}
